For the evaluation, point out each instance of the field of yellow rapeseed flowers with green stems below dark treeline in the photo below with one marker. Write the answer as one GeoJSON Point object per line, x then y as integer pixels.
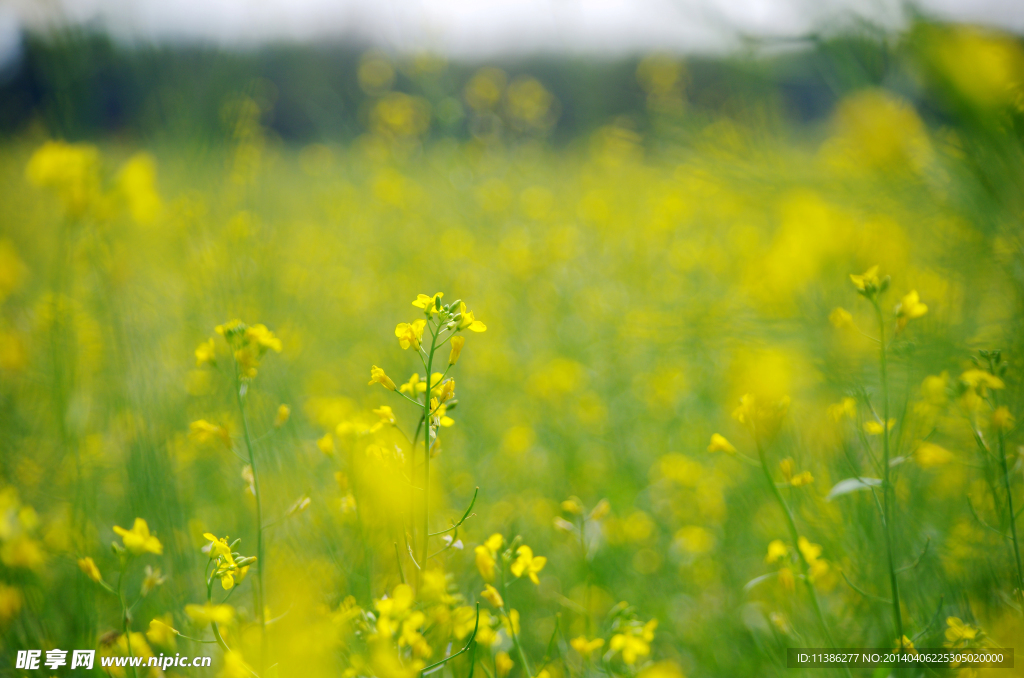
{"type": "Point", "coordinates": [697, 394]}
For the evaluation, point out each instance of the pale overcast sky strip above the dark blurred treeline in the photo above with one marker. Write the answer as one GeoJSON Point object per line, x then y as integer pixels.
{"type": "Point", "coordinates": [482, 28]}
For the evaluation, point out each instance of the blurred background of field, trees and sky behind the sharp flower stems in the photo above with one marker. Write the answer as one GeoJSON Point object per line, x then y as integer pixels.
{"type": "Point", "coordinates": [654, 206]}
